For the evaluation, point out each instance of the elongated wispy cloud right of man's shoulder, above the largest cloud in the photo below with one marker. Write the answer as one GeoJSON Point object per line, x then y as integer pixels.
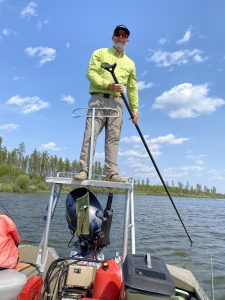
{"type": "Point", "coordinates": [181, 57]}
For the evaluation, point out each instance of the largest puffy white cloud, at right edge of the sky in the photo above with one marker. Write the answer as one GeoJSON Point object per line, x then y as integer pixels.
{"type": "Point", "coordinates": [188, 101]}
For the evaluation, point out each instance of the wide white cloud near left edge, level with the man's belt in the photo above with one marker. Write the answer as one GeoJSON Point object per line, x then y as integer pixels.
{"type": "Point", "coordinates": [28, 104]}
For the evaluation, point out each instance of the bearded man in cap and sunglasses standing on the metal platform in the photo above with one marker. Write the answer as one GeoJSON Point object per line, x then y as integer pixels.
{"type": "Point", "coordinates": [106, 94]}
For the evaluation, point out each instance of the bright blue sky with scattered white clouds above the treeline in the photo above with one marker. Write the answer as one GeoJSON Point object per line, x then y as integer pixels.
{"type": "Point", "coordinates": [179, 51]}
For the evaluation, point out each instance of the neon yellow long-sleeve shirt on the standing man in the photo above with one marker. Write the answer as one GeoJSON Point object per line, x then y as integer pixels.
{"type": "Point", "coordinates": [125, 72]}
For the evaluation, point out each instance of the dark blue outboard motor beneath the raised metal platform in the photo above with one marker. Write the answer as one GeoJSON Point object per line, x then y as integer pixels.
{"type": "Point", "coordinates": [87, 219]}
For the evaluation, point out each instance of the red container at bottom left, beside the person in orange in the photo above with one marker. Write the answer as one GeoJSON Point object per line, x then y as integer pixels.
{"type": "Point", "coordinates": [32, 289]}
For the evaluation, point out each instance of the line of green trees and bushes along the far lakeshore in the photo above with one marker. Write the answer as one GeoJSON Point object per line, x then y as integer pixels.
{"type": "Point", "coordinates": [16, 164]}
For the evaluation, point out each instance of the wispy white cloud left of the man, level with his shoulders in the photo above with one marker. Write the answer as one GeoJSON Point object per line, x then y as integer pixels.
{"type": "Point", "coordinates": [45, 54]}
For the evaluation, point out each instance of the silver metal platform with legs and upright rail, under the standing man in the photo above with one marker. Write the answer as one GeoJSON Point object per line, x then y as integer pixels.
{"type": "Point", "coordinates": [66, 178]}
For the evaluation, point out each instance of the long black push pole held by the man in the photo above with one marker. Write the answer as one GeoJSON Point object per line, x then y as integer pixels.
{"type": "Point", "coordinates": [111, 68]}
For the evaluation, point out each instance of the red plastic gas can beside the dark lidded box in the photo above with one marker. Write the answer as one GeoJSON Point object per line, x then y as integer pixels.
{"type": "Point", "coordinates": [108, 281]}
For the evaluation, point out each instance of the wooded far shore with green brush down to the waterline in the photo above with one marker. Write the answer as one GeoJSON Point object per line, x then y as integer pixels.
{"type": "Point", "coordinates": [20, 173]}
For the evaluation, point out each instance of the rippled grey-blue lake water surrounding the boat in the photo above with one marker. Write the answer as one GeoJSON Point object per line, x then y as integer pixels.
{"type": "Point", "coordinates": [158, 230]}
